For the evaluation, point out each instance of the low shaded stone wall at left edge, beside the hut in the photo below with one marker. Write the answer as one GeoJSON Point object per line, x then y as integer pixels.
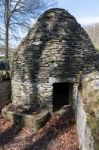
{"type": "Point", "coordinates": [5, 93]}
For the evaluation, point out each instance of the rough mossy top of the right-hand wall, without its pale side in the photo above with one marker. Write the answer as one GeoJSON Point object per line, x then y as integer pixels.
{"type": "Point", "coordinates": [90, 96]}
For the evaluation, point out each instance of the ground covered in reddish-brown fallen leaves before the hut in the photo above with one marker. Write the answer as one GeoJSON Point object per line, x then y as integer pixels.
{"type": "Point", "coordinates": [58, 134]}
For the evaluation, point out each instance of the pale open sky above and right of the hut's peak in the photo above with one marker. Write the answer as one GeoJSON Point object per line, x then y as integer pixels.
{"type": "Point", "coordinates": [85, 11]}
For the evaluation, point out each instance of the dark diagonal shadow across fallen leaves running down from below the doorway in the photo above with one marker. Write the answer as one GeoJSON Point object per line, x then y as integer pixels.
{"type": "Point", "coordinates": [48, 136]}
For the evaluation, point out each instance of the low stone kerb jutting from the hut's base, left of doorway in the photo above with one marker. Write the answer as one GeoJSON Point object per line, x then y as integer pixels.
{"type": "Point", "coordinates": [35, 121]}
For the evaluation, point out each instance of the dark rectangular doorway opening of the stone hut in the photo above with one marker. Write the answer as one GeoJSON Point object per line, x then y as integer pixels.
{"type": "Point", "coordinates": [61, 93]}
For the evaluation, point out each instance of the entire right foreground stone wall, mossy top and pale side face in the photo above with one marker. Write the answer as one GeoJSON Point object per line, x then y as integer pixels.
{"type": "Point", "coordinates": [87, 112]}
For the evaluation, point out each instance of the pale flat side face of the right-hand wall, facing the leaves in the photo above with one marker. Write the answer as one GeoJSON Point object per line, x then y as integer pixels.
{"type": "Point", "coordinates": [84, 132]}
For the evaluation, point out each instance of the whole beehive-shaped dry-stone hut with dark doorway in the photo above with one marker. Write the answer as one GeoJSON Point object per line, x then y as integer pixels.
{"type": "Point", "coordinates": [49, 60]}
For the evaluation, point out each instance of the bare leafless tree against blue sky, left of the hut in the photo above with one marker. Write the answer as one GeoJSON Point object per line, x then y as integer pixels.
{"type": "Point", "coordinates": [16, 16]}
